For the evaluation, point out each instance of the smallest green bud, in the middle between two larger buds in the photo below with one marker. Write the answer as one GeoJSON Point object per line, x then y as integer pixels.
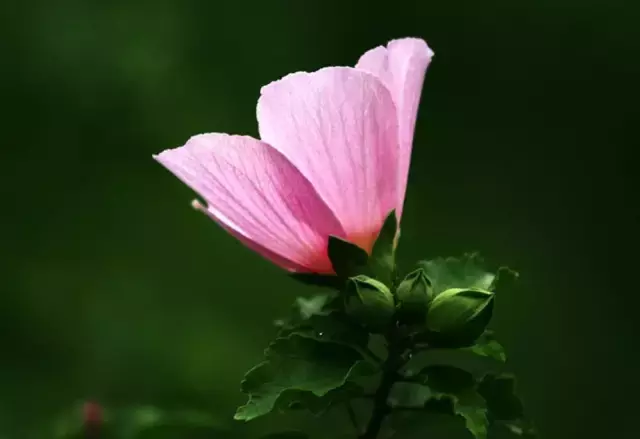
{"type": "Point", "coordinates": [414, 294]}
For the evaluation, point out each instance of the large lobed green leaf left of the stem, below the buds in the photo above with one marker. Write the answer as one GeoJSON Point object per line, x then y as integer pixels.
{"type": "Point", "coordinates": [295, 363]}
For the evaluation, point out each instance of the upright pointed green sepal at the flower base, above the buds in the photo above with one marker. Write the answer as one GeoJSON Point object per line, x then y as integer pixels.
{"type": "Point", "coordinates": [382, 262]}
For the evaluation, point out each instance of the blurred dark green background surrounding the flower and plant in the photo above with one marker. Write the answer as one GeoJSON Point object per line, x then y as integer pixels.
{"type": "Point", "coordinates": [114, 289]}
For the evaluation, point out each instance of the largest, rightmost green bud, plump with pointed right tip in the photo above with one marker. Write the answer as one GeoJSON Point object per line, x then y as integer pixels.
{"type": "Point", "coordinates": [458, 316]}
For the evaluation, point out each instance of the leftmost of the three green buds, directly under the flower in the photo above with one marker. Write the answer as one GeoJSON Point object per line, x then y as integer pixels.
{"type": "Point", "coordinates": [369, 302]}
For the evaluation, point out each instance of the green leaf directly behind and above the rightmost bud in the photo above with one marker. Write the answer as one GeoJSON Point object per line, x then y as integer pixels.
{"type": "Point", "coordinates": [464, 272]}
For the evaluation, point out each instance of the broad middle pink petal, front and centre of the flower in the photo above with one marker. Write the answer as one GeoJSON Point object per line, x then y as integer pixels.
{"type": "Point", "coordinates": [339, 127]}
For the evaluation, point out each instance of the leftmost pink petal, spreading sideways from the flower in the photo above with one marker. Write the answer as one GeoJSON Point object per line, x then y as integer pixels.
{"type": "Point", "coordinates": [255, 193]}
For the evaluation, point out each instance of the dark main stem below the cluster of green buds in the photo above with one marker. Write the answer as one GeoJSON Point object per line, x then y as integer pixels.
{"type": "Point", "coordinates": [390, 368]}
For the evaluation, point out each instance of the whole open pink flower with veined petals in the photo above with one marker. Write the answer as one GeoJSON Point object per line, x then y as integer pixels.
{"type": "Point", "coordinates": [333, 158]}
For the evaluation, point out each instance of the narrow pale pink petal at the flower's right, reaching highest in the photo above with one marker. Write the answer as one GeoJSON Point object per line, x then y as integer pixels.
{"type": "Point", "coordinates": [401, 66]}
